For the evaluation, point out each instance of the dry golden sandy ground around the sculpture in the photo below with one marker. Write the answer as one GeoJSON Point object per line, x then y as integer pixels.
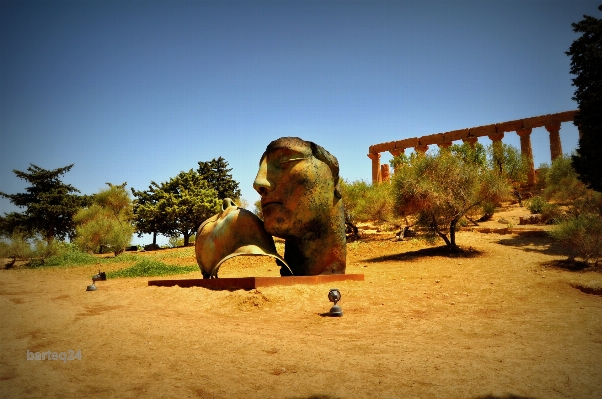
{"type": "Point", "coordinates": [506, 321]}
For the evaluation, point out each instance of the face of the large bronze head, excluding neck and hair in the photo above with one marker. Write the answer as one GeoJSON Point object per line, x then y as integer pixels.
{"type": "Point", "coordinates": [297, 189]}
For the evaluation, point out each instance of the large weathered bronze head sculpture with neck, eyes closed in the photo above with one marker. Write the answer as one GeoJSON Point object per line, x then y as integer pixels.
{"type": "Point", "coordinates": [299, 186]}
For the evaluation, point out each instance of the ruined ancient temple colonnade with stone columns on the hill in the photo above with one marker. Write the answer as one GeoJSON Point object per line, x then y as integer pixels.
{"type": "Point", "coordinates": [495, 132]}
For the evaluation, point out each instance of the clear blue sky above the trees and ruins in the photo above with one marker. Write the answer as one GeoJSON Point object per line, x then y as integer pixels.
{"type": "Point", "coordinates": [134, 91]}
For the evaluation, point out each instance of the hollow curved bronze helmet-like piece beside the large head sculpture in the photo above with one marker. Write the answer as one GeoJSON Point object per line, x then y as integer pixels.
{"type": "Point", "coordinates": [233, 232]}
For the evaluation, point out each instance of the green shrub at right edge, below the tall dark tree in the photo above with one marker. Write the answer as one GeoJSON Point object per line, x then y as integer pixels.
{"type": "Point", "coordinates": [581, 236]}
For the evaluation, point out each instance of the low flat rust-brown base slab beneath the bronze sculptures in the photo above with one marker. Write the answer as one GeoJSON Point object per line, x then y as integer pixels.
{"type": "Point", "coordinates": [249, 283]}
